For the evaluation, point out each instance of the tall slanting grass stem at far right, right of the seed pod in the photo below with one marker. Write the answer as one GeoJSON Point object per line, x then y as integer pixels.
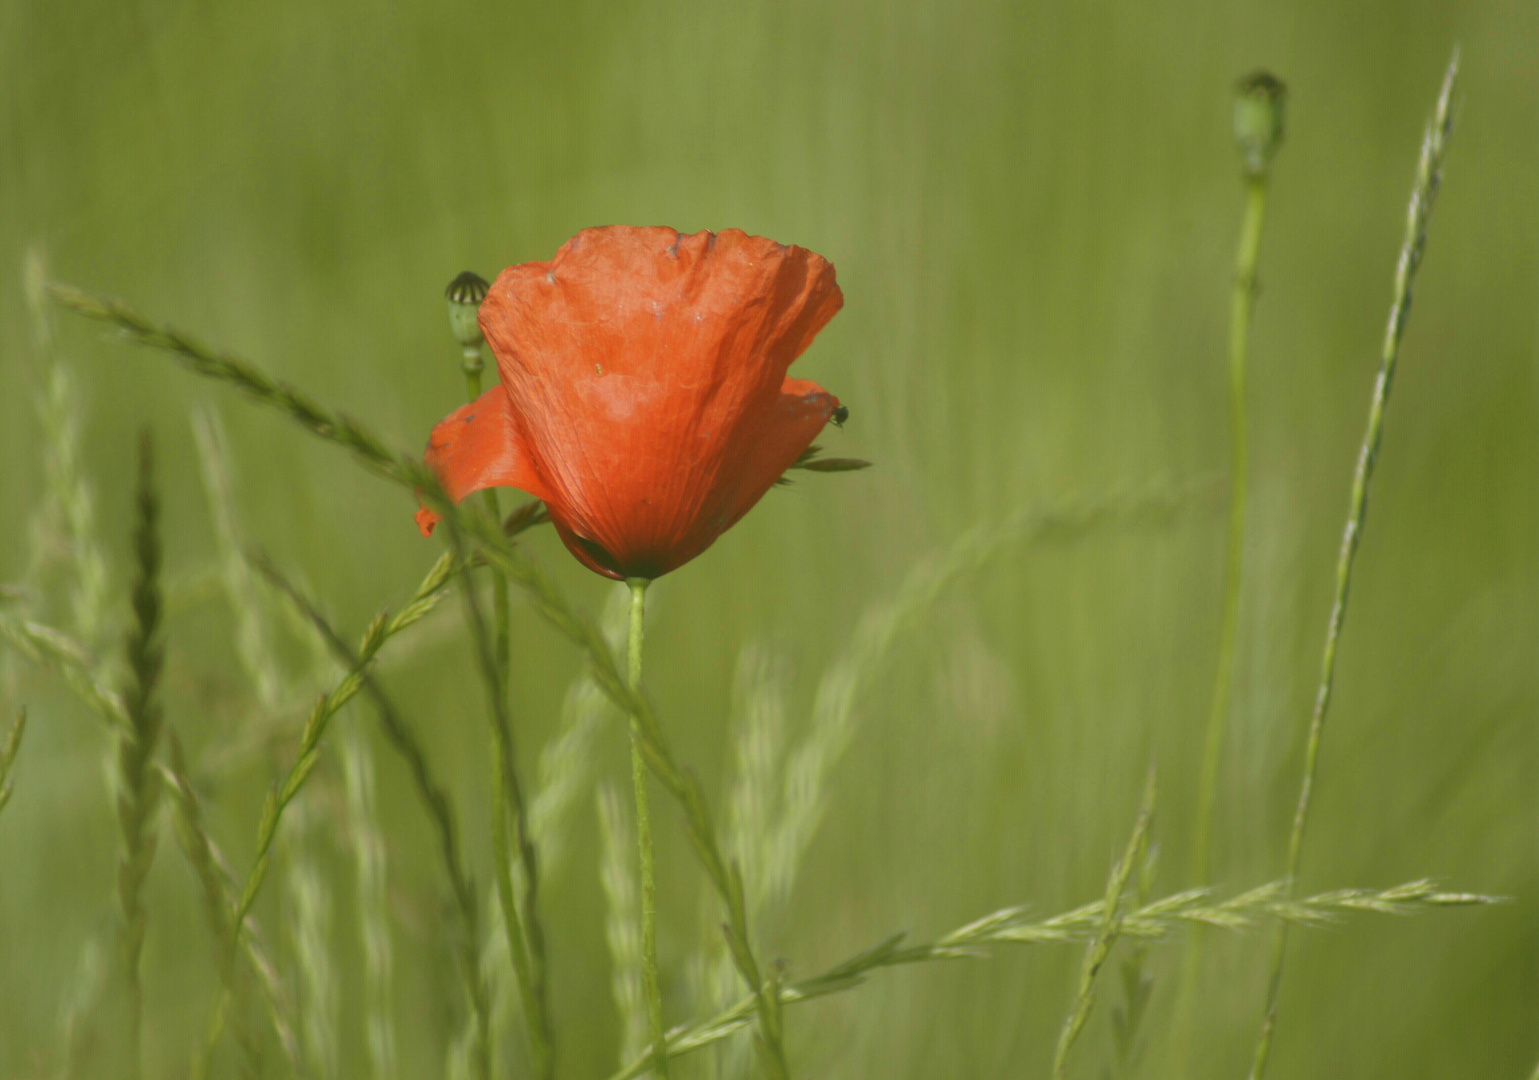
{"type": "Point", "coordinates": [1424, 193]}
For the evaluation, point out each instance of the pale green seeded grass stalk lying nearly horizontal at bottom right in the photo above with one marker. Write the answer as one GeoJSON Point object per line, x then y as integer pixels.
{"type": "Point", "coordinates": [1152, 922]}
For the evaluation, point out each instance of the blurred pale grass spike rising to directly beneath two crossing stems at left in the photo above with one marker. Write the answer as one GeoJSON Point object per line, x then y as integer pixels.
{"type": "Point", "coordinates": [373, 913]}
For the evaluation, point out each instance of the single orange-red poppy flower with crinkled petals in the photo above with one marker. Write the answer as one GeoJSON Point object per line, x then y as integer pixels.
{"type": "Point", "coordinates": [644, 393]}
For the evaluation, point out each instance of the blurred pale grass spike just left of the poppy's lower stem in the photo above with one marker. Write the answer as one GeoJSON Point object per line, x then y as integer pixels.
{"type": "Point", "coordinates": [623, 928]}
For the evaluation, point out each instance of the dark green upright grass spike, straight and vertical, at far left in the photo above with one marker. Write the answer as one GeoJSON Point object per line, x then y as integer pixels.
{"type": "Point", "coordinates": [139, 790]}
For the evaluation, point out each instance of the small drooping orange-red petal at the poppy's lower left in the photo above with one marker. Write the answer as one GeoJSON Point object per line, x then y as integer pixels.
{"type": "Point", "coordinates": [479, 447]}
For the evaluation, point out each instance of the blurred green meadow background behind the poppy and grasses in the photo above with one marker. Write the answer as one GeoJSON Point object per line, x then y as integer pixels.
{"type": "Point", "coordinates": [1033, 213]}
